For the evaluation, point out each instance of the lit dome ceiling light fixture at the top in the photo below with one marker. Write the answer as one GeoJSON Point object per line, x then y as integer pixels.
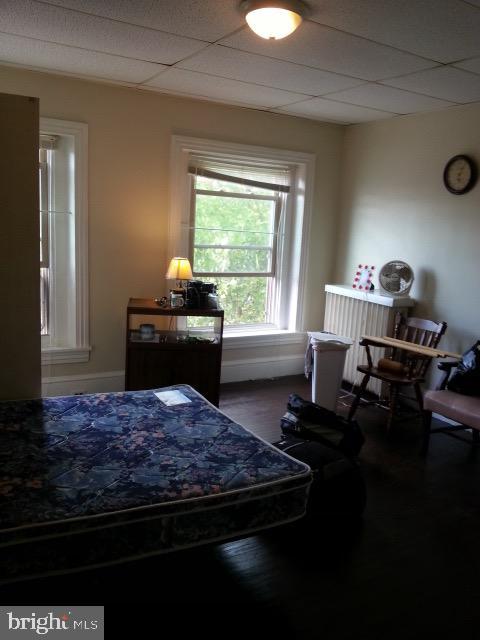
{"type": "Point", "coordinates": [273, 19]}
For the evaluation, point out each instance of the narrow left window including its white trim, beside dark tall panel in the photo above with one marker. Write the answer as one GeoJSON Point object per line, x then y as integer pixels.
{"type": "Point", "coordinates": [63, 241]}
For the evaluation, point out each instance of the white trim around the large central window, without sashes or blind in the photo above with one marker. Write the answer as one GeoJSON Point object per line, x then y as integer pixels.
{"type": "Point", "coordinates": [302, 201]}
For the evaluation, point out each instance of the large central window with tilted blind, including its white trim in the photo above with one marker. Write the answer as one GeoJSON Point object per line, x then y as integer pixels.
{"type": "Point", "coordinates": [241, 214]}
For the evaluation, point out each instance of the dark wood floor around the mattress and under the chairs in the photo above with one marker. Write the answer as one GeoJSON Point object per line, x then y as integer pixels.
{"type": "Point", "coordinates": [408, 570]}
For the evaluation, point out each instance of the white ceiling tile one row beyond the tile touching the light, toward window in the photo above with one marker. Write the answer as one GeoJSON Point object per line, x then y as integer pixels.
{"type": "Point", "coordinates": [248, 67]}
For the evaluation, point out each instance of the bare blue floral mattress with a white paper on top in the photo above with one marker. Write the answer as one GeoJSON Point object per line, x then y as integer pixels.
{"type": "Point", "coordinates": [97, 479]}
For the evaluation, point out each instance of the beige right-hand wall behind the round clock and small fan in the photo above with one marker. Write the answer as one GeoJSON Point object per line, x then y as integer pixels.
{"type": "Point", "coordinates": [394, 205]}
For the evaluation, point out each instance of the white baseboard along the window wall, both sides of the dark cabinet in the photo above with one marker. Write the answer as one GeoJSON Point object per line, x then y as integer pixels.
{"type": "Point", "coordinates": [232, 371]}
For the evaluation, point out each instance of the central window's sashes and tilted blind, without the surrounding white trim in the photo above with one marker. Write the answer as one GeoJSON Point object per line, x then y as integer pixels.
{"type": "Point", "coordinates": [237, 234]}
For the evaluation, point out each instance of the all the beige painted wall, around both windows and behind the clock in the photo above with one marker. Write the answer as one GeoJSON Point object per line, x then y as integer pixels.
{"type": "Point", "coordinates": [393, 203]}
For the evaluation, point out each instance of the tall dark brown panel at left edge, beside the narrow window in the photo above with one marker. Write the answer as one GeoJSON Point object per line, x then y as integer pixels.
{"type": "Point", "coordinates": [19, 248]}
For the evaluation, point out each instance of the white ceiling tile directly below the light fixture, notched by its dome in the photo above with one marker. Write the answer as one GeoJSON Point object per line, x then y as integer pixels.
{"type": "Point", "coordinates": [331, 50]}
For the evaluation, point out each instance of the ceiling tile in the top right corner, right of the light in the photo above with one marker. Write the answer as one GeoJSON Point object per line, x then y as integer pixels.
{"type": "Point", "coordinates": [442, 30]}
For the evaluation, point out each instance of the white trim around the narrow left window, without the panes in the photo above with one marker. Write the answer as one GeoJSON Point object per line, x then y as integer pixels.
{"type": "Point", "coordinates": [80, 352]}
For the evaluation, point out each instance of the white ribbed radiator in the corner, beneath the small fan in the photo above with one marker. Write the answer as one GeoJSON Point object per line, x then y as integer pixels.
{"type": "Point", "coordinates": [355, 314]}
